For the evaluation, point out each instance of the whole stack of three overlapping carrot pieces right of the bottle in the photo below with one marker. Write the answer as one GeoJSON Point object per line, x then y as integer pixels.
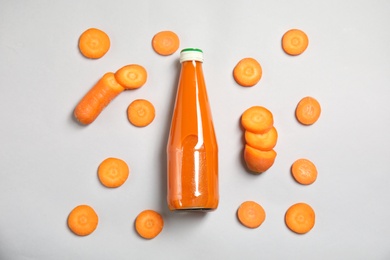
{"type": "Point", "coordinates": [260, 138]}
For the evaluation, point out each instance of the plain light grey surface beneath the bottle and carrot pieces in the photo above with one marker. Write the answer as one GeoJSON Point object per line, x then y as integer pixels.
{"type": "Point", "coordinates": [48, 162]}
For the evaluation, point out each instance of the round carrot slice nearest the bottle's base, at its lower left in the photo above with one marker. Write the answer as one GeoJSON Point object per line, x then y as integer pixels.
{"type": "Point", "coordinates": [149, 224]}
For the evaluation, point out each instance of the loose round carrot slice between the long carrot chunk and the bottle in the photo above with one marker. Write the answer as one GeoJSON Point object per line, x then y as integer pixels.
{"type": "Point", "coordinates": [141, 112]}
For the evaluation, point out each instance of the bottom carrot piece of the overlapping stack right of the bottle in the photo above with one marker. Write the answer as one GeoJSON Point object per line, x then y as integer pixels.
{"type": "Point", "coordinates": [258, 161]}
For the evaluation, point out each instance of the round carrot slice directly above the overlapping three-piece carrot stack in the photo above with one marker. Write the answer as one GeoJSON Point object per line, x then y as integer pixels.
{"type": "Point", "coordinates": [247, 72]}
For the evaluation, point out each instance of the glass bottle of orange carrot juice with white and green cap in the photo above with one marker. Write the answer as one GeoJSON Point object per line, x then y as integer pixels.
{"type": "Point", "coordinates": [192, 148]}
